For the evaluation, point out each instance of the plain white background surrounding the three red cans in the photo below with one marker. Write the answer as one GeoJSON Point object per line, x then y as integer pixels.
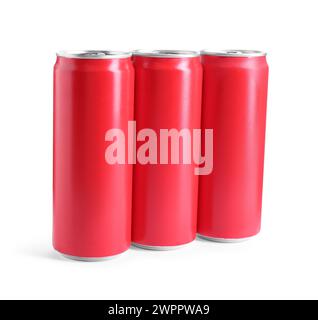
{"type": "Point", "coordinates": [282, 262]}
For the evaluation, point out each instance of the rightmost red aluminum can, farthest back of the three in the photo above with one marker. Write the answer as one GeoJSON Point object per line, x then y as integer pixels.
{"type": "Point", "coordinates": [234, 106]}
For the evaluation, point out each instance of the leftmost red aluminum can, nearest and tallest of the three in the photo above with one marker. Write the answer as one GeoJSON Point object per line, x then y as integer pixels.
{"type": "Point", "coordinates": [93, 92]}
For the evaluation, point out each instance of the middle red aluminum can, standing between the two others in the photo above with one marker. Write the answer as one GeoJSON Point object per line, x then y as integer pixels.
{"type": "Point", "coordinates": [168, 86]}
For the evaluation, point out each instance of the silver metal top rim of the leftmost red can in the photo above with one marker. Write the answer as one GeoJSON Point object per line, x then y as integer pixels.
{"type": "Point", "coordinates": [93, 54]}
